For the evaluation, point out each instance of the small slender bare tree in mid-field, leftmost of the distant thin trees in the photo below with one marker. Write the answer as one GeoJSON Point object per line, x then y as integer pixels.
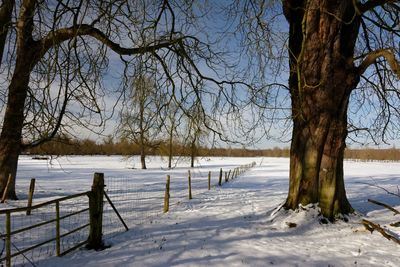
{"type": "Point", "coordinates": [140, 122]}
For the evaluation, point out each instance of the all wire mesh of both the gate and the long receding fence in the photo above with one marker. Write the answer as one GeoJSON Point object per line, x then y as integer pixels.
{"type": "Point", "coordinates": [136, 202]}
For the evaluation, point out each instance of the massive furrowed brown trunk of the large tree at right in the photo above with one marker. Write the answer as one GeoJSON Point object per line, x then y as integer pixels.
{"type": "Point", "coordinates": [322, 76]}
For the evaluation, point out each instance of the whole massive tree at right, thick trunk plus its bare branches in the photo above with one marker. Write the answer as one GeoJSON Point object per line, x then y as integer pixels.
{"type": "Point", "coordinates": [343, 83]}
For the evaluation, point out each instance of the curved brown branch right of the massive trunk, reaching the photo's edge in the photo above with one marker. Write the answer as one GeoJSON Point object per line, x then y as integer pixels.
{"type": "Point", "coordinates": [374, 55]}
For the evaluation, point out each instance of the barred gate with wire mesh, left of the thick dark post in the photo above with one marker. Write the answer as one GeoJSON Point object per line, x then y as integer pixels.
{"type": "Point", "coordinates": [52, 229]}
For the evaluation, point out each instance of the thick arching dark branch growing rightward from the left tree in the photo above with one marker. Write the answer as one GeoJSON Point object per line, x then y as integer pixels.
{"type": "Point", "coordinates": [61, 35]}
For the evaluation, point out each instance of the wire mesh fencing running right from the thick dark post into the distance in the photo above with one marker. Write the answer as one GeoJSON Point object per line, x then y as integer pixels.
{"type": "Point", "coordinates": [139, 203]}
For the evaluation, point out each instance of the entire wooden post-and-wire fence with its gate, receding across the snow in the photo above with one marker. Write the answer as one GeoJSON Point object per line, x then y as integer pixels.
{"type": "Point", "coordinates": [59, 226]}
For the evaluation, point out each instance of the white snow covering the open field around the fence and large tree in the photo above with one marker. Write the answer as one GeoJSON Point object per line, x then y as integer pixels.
{"type": "Point", "coordinates": [233, 225]}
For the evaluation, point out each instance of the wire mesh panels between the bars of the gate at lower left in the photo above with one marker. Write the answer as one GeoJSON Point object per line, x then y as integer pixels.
{"type": "Point", "coordinates": [29, 238]}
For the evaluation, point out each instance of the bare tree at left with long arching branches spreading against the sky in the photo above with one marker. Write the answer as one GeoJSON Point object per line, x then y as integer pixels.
{"type": "Point", "coordinates": [55, 55]}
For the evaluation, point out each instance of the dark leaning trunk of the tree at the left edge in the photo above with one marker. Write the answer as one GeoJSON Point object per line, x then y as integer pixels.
{"type": "Point", "coordinates": [11, 133]}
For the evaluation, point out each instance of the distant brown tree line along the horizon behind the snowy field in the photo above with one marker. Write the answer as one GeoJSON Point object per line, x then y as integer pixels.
{"type": "Point", "coordinates": [69, 146]}
